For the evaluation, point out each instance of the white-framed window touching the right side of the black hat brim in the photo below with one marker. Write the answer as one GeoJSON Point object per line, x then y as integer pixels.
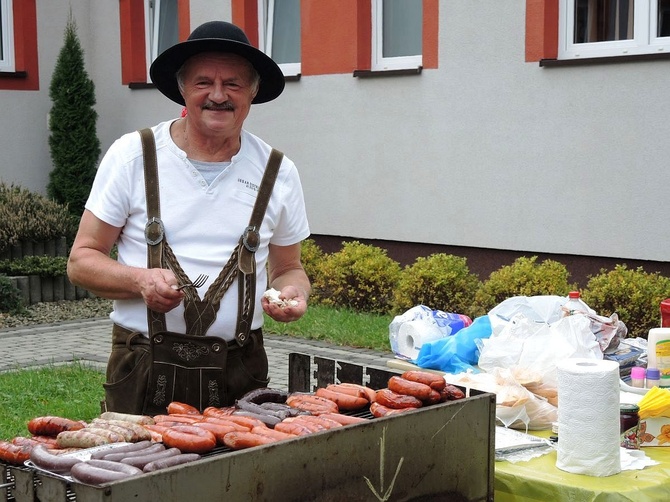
{"type": "Point", "coordinates": [279, 33]}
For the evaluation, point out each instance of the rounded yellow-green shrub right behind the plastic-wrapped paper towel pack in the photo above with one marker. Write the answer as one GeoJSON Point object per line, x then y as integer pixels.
{"type": "Point", "coordinates": [439, 281]}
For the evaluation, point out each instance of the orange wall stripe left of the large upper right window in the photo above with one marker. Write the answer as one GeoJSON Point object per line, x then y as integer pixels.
{"type": "Point", "coordinates": [541, 30]}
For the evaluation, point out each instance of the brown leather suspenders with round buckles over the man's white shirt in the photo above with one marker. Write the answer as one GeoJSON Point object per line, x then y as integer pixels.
{"type": "Point", "coordinates": [200, 314]}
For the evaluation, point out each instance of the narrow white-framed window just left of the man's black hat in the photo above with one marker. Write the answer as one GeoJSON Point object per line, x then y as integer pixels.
{"type": "Point", "coordinates": [162, 27]}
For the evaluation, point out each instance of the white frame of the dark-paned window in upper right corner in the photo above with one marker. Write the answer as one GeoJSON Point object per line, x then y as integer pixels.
{"type": "Point", "coordinates": [644, 41]}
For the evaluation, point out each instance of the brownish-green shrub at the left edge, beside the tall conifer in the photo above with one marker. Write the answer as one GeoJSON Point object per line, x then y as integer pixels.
{"type": "Point", "coordinates": [25, 215]}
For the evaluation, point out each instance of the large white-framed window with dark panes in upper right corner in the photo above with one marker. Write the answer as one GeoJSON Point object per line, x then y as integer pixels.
{"type": "Point", "coordinates": [602, 28]}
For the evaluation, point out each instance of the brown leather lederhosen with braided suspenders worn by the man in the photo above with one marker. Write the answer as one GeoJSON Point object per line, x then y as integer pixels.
{"type": "Point", "coordinates": [145, 374]}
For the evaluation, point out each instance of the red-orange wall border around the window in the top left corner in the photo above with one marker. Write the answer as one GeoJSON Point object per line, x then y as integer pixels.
{"type": "Point", "coordinates": [25, 48]}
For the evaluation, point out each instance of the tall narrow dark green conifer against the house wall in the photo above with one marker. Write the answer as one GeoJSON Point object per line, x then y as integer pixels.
{"type": "Point", "coordinates": [73, 141]}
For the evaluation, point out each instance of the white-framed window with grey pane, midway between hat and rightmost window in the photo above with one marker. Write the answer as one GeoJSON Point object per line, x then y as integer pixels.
{"type": "Point", "coordinates": [397, 34]}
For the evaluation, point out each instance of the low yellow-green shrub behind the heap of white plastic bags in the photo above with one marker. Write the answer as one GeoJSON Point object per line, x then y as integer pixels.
{"type": "Point", "coordinates": [524, 277]}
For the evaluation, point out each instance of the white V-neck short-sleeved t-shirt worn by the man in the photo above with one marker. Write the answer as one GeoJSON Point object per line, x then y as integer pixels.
{"type": "Point", "coordinates": [203, 222]}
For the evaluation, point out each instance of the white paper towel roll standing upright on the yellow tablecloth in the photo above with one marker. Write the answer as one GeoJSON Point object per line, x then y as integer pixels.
{"type": "Point", "coordinates": [588, 417]}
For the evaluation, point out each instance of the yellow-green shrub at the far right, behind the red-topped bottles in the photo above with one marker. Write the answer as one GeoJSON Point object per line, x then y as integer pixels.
{"type": "Point", "coordinates": [633, 294]}
